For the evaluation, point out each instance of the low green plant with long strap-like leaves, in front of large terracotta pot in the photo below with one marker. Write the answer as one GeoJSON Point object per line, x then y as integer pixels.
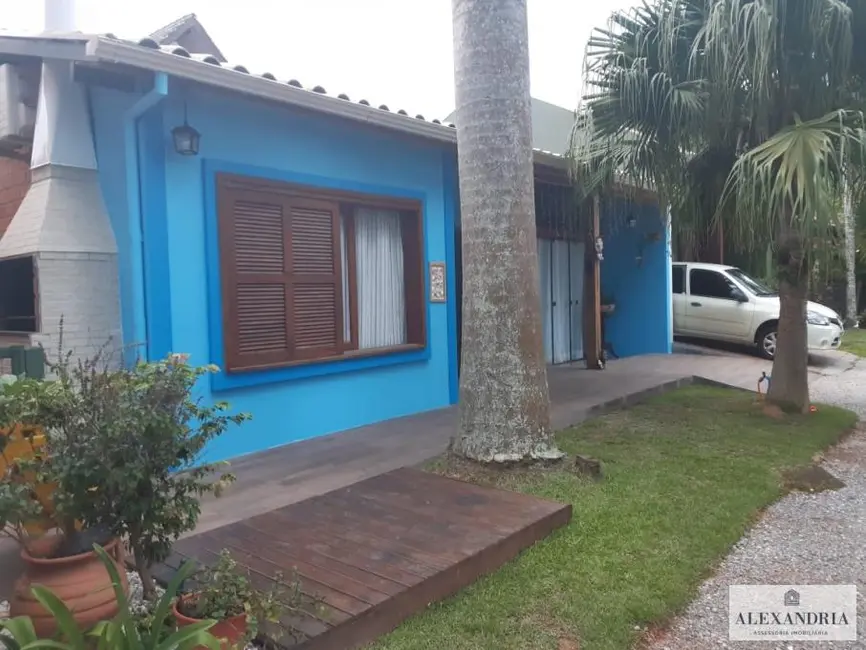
{"type": "Point", "coordinates": [124, 632]}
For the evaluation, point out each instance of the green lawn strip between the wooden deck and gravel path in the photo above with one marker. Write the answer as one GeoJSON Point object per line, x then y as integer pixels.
{"type": "Point", "coordinates": [686, 474]}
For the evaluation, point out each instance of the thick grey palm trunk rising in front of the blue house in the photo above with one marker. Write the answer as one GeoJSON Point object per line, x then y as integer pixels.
{"type": "Point", "coordinates": [504, 402]}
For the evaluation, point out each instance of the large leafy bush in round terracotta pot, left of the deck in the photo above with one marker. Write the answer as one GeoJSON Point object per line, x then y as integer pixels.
{"type": "Point", "coordinates": [123, 450]}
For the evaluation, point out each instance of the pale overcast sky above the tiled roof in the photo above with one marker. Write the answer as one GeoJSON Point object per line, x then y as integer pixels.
{"type": "Point", "coordinates": [394, 52]}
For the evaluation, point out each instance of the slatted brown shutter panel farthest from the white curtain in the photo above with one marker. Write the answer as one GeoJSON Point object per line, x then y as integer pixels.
{"type": "Point", "coordinates": [253, 243]}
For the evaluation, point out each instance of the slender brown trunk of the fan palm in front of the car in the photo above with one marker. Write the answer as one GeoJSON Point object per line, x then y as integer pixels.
{"type": "Point", "coordinates": [789, 387]}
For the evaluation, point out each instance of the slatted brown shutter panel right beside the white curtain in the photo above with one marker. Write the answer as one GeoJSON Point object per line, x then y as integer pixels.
{"type": "Point", "coordinates": [315, 305]}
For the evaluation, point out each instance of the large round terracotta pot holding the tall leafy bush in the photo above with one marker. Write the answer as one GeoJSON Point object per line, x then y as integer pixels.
{"type": "Point", "coordinates": [80, 581]}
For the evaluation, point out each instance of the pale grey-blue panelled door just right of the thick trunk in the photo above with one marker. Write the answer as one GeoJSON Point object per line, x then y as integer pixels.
{"type": "Point", "coordinates": [560, 265]}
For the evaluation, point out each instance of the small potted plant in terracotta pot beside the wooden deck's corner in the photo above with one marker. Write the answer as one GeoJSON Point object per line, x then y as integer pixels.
{"type": "Point", "coordinates": [223, 593]}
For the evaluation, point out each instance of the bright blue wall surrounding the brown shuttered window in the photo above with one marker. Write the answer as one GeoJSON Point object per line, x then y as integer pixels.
{"type": "Point", "coordinates": [247, 137]}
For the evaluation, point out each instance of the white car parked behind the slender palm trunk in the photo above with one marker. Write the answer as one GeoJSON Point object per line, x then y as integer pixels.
{"type": "Point", "coordinates": [714, 301]}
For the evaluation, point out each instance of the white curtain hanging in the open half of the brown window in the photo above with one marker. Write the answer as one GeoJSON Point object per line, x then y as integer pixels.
{"type": "Point", "coordinates": [381, 294]}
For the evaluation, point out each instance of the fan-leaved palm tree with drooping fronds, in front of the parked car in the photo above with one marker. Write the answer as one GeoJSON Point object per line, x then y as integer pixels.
{"type": "Point", "coordinates": [740, 111]}
